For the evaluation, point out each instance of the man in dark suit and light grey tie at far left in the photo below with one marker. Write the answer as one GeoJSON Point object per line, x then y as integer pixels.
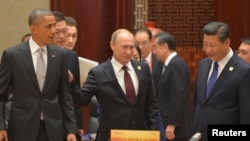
{"type": "Point", "coordinates": [38, 113]}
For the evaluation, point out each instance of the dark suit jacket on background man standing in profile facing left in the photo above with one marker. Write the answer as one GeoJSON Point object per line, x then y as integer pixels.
{"type": "Point", "coordinates": [173, 96]}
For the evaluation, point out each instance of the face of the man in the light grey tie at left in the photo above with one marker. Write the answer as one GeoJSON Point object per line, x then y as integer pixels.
{"type": "Point", "coordinates": [43, 32]}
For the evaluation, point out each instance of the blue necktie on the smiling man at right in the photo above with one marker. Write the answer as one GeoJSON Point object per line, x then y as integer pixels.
{"type": "Point", "coordinates": [212, 79]}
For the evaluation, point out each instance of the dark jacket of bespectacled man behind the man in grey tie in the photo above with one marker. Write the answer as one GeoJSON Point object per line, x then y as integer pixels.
{"type": "Point", "coordinates": [73, 65]}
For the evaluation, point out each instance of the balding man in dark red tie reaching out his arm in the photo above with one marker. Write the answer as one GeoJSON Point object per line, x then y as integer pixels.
{"type": "Point", "coordinates": [107, 83]}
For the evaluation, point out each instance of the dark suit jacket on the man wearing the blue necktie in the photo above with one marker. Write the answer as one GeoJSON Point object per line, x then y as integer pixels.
{"type": "Point", "coordinates": [228, 101]}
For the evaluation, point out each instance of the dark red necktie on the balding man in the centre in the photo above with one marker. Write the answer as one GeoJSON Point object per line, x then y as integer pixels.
{"type": "Point", "coordinates": [129, 86]}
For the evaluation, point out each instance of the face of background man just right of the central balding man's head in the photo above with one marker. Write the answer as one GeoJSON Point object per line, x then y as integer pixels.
{"type": "Point", "coordinates": [142, 40]}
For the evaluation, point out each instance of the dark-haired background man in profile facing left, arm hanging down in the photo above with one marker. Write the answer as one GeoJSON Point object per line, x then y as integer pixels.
{"type": "Point", "coordinates": [172, 91]}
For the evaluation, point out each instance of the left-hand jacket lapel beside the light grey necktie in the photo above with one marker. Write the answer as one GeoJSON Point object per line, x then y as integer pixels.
{"type": "Point", "coordinates": [28, 63]}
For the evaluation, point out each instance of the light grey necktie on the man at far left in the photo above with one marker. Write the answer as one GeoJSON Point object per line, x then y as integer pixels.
{"type": "Point", "coordinates": [40, 68]}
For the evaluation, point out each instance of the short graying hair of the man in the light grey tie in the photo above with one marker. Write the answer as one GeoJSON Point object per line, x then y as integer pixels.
{"type": "Point", "coordinates": [36, 15]}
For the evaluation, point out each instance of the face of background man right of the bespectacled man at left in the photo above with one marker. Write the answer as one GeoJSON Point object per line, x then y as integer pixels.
{"type": "Point", "coordinates": [72, 37]}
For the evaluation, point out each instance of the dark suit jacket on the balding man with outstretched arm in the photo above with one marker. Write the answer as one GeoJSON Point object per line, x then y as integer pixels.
{"type": "Point", "coordinates": [117, 112]}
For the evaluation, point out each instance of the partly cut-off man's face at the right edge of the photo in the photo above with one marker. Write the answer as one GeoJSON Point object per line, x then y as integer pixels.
{"type": "Point", "coordinates": [244, 52]}
